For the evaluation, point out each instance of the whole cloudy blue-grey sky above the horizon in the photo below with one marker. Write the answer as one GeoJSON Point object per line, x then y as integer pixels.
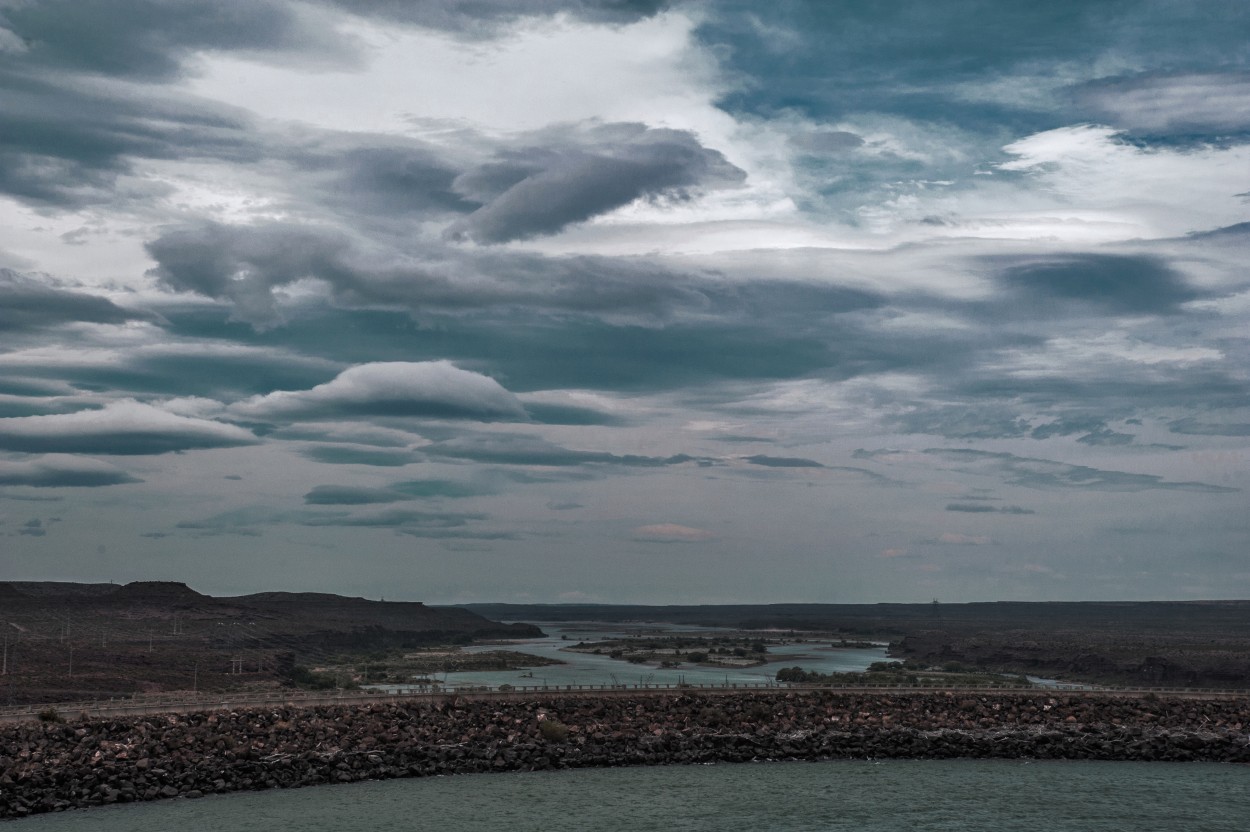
{"type": "Point", "coordinates": [627, 300]}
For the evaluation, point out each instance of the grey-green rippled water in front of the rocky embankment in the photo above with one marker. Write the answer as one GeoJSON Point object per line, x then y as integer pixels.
{"type": "Point", "coordinates": [917, 796]}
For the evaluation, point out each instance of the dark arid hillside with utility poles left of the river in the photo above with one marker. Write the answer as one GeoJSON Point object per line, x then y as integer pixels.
{"type": "Point", "coordinates": [77, 641]}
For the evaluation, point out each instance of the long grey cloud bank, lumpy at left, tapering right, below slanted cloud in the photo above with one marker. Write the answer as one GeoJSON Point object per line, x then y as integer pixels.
{"type": "Point", "coordinates": [246, 264]}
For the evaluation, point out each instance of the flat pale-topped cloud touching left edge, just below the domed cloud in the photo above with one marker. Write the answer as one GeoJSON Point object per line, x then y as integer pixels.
{"type": "Point", "coordinates": [122, 428]}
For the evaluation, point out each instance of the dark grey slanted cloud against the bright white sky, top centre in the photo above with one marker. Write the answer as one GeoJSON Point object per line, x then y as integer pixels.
{"type": "Point", "coordinates": [573, 176]}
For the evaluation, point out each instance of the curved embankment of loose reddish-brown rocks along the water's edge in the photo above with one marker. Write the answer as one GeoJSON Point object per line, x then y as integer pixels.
{"type": "Point", "coordinates": [57, 766]}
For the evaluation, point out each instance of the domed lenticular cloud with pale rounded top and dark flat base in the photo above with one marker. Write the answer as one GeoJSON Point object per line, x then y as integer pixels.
{"type": "Point", "coordinates": [431, 389]}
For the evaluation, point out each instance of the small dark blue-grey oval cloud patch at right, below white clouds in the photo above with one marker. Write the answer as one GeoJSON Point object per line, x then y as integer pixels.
{"type": "Point", "coordinates": [1108, 284]}
